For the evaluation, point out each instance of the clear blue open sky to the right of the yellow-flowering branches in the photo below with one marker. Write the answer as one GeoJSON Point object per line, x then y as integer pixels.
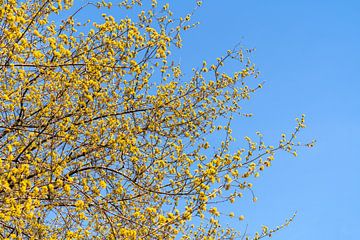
{"type": "Point", "coordinates": [309, 55]}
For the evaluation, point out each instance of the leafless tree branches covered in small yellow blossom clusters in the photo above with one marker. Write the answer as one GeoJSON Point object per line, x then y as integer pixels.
{"type": "Point", "coordinates": [101, 135]}
